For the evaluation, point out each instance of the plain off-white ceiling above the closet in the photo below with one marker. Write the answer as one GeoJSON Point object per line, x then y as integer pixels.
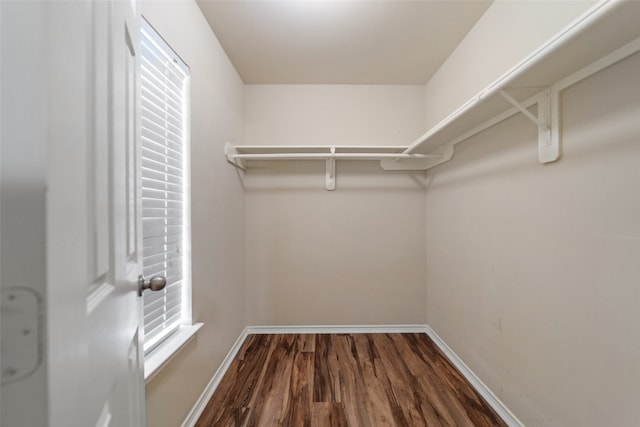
{"type": "Point", "coordinates": [340, 41]}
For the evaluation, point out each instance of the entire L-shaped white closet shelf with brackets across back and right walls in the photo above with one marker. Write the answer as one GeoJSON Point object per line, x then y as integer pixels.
{"type": "Point", "coordinates": [608, 33]}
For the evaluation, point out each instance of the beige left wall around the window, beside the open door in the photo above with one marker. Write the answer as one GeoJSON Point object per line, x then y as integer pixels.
{"type": "Point", "coordinates": [217, 211]}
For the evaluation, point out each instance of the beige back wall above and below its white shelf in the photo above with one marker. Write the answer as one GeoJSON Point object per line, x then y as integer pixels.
{"type": "Point", "coordinates": [351, 256]}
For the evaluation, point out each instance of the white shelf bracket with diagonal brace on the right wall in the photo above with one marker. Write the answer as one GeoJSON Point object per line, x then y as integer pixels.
{"type": "Point", "coordinates": [547, 121]}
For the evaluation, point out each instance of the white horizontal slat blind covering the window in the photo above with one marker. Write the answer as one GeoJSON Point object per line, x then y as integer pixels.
{"type": "Point", "coordinates": [165, 198]}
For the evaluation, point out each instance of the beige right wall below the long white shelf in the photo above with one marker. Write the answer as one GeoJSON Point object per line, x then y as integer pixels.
{"type": "Point", "coordinates": [533, 270]}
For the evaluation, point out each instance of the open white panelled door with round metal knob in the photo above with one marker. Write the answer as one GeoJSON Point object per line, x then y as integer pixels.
{"type": "Point", "coordinates": [93, 229]}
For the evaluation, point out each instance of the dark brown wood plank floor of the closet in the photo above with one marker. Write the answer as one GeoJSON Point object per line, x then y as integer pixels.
{"type": "Point", "coordinates": [344, 380]}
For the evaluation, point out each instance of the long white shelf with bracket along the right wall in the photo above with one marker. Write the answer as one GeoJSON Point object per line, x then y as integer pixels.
{"type": "Point", "coordinates": [604, 35]}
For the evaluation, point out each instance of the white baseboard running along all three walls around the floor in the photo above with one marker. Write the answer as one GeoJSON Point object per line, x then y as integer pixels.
{"type": "Point", "coordinates": [475, 382]}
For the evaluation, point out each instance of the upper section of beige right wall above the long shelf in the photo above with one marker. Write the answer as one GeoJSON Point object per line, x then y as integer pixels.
{"type": "Point", "coordinates": [505, 35]}
